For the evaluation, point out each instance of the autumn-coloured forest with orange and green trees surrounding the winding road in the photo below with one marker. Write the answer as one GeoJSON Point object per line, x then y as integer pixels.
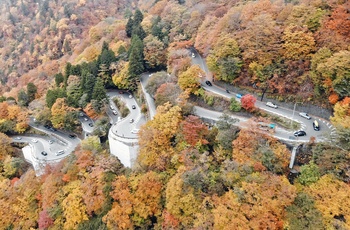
{"type": "Point", "coordinates": [60, 57]}
